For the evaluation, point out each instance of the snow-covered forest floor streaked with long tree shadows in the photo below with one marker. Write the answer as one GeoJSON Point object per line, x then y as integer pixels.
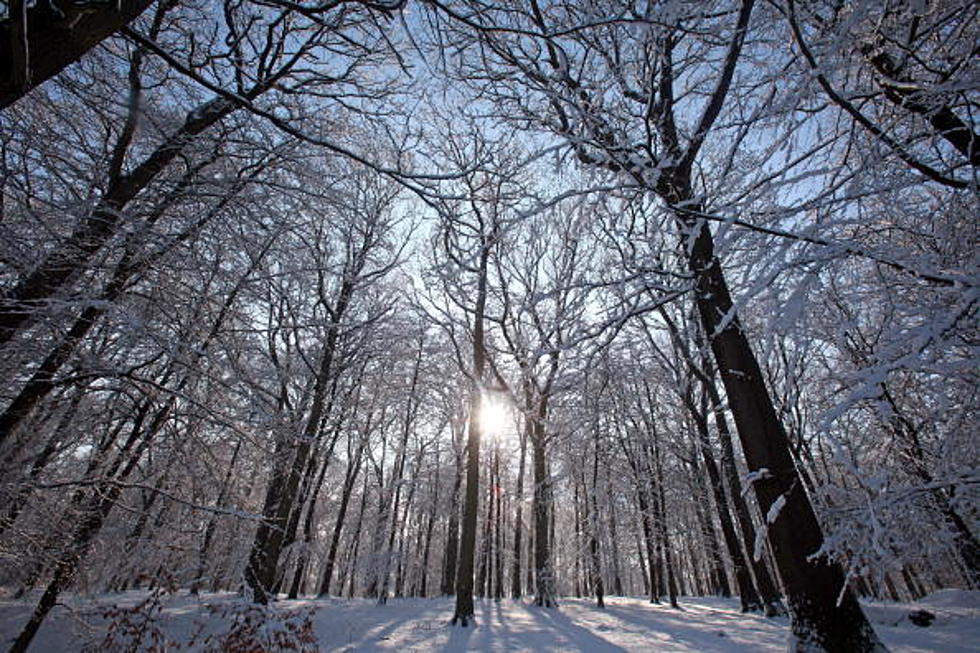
{"type": "Point", "coordinates": [704, 625]}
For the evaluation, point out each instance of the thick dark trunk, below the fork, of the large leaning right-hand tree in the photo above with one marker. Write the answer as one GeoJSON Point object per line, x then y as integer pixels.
{"type": "Point", "coordinates": [813, 587]}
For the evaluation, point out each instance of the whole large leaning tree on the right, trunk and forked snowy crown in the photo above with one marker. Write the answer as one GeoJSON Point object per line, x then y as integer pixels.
{"type": "Point", "coordinates": [621, 98]}
